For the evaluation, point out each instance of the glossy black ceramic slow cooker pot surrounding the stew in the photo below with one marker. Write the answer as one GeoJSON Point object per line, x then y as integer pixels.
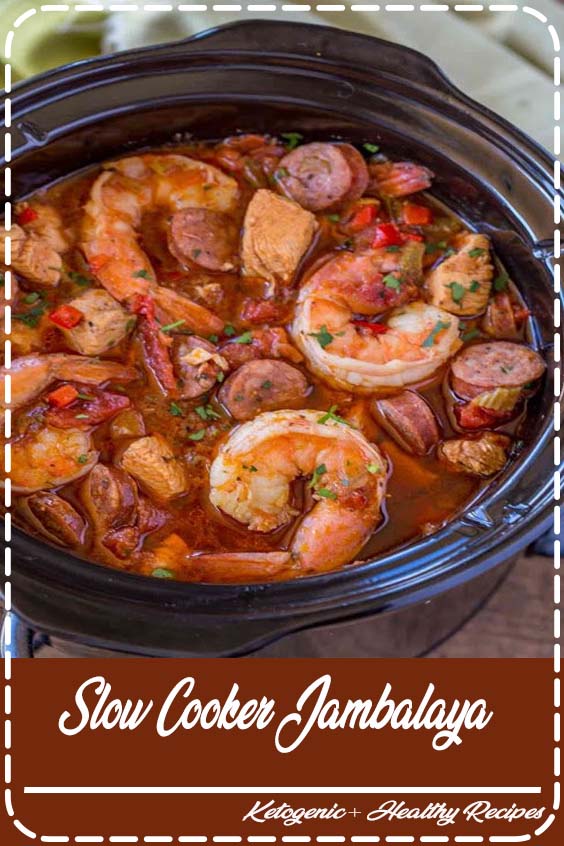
{"type": "Point", "coordinates": [323, 82]}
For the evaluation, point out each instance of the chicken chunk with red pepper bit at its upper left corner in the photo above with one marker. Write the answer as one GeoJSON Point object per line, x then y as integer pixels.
{"type": "Point", "coordinates": [104, 325]}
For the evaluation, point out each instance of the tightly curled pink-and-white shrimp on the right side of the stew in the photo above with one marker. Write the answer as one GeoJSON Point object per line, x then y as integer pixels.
{"type": "Point", "coordinates": [361, 355]}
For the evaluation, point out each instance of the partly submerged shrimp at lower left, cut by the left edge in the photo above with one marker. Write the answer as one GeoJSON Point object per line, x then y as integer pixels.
{"type": "Point", "coordinates": [49, 458]}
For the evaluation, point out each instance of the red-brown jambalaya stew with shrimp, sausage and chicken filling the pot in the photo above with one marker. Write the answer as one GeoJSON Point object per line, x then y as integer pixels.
{"type": "Point", "coordinates": [255, 359]}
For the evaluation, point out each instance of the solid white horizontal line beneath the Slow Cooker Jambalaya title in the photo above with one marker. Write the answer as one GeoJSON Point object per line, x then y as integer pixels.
{"type": "Point", "coordinates": [276, 789]}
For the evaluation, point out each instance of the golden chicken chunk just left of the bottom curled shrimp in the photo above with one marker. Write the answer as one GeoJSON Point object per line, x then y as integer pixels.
{"type": "Point", "coordinates": [151, 461]}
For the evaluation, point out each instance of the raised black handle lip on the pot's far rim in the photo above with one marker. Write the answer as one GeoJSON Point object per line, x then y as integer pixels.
{"type": "Point", "coordinates": [325, 44]}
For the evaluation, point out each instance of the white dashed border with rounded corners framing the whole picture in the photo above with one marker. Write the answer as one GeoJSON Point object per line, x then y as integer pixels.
{"type": "Point", "coordinates": [275, 7]}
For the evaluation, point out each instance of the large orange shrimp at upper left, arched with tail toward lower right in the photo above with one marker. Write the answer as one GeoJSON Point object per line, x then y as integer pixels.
{"type": "Point", "coordinates": [120, 197]}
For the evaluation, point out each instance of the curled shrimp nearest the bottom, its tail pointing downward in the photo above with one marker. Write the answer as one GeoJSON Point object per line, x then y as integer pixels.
{"type": "Point", "coordinates": [251, 478]}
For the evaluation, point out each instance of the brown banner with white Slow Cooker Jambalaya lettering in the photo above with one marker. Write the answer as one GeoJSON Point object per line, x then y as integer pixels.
{"type": "Point", "coordinates": [403, 751]}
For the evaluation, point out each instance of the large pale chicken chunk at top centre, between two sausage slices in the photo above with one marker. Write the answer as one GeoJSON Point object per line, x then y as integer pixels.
{"type": "Point", "coordinates": [277, 232]}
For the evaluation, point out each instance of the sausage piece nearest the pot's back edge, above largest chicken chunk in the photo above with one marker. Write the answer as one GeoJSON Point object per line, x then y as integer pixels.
{"type": "Point", "coordinates": [320, 176]}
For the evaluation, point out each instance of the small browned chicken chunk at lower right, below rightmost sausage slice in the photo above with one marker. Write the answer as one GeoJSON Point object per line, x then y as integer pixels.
{"type": "Point", "coordinates": [481, 456]}
